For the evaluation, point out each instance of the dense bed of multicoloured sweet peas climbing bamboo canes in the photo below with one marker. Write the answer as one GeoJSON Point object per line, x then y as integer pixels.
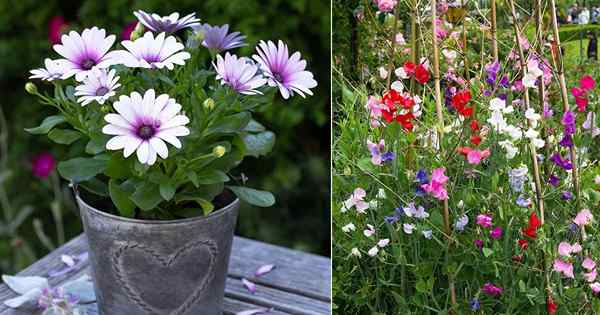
{"type": "Point", "coordinates": [469, 180]}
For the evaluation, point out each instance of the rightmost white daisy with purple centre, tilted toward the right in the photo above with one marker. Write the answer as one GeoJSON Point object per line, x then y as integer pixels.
{"type": "Point", "coordinates": [285, 72]}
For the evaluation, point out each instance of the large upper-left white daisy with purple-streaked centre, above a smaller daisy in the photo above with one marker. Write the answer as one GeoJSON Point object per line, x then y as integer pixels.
{"type": "Point", "coordinates": [86, 51]}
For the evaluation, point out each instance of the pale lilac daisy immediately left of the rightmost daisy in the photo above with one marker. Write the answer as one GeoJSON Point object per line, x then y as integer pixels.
{"type": "Point", "coordinates": [241, 74]}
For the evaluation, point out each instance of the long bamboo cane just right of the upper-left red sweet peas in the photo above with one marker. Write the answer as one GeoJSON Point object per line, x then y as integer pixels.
{"type": "Point", "coordinates": [440, 115]}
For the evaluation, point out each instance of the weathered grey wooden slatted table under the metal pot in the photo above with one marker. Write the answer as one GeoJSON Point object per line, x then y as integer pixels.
{"type": "Point", "coordinates": [300, 284]}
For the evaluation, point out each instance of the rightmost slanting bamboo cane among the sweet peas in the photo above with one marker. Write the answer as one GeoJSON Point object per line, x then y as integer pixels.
{"type": "Point", "coordinates": [565, 99]}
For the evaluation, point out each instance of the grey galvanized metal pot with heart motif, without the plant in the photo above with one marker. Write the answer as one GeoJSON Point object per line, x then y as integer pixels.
{"type": "Point", "coordinates": [144, 267]}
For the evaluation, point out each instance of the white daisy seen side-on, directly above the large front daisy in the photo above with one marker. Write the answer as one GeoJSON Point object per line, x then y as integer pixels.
{"type": "Point", "coordinates": [150, 52]}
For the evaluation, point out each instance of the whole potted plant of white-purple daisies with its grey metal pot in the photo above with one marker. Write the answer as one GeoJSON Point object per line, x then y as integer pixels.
{"type": "Point", "coordinates": [155, 129]}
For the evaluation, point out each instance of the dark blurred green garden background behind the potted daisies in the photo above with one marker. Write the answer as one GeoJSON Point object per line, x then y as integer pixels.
{"type": "Point", "coordinates": [37, 212]}
